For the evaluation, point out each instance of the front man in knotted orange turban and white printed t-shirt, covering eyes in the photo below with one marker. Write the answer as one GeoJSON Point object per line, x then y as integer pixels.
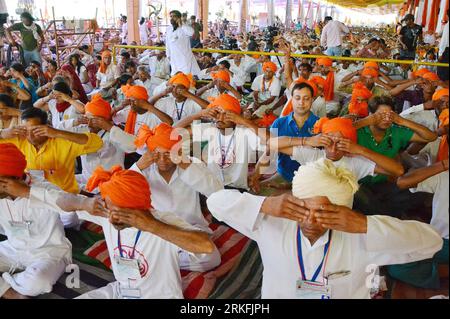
{"type": "Point", "coordinates": [145, 265]}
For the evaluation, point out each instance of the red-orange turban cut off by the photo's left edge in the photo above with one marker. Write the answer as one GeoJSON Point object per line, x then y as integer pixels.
{"type": "Point", "coordinates": [12, 161]}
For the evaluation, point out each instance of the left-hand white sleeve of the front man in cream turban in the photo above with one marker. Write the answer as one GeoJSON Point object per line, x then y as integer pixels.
{"type": "Point", "coordinates": [240, 211]}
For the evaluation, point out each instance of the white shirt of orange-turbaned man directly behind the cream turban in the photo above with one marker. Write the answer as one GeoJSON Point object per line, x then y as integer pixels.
{"type": "Point", "coordinates": [358, 165]}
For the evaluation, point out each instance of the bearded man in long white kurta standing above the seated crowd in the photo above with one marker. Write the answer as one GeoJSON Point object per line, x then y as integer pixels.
{"type": "Point", "coordinates": [178, 46]}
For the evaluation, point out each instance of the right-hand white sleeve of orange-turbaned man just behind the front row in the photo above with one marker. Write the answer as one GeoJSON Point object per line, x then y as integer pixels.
{"type": "Point", "coordinates": [201, 179]}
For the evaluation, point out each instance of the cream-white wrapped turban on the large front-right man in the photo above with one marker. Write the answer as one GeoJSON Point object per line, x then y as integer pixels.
{"type": "Point", "coordinates": [323, 178]}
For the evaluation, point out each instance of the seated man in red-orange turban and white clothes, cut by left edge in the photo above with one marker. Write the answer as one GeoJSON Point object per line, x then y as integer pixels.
{"type": "Point", "coordinates": [32, 230]}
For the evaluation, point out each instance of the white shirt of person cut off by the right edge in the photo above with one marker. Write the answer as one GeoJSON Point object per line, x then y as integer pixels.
{"type": "Point", "coordinates": [437, 185]}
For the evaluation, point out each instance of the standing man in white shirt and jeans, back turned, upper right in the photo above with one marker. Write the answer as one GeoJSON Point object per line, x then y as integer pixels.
{"type": "Point", "coordinates": [331, 37]}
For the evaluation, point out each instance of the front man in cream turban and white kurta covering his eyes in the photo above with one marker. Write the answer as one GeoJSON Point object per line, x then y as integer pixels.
{"type": "Point", "coordinates": [353, 254]}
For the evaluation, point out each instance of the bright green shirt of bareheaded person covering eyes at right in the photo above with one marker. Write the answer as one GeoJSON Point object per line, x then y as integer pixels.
{"type": "Point", "coordinates": [396, 139]}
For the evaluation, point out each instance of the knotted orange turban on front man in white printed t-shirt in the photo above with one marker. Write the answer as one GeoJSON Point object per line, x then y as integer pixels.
{"type": "Point", "coordinates": [126, 189]}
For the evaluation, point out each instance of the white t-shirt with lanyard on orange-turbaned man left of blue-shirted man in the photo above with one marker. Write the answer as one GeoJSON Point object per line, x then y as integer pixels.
{"type": "Point", "coordinates": [228, 156]}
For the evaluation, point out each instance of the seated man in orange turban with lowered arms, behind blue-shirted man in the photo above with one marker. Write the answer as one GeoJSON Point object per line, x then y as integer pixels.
{"type": "Point", "coordinates": [266, 90]}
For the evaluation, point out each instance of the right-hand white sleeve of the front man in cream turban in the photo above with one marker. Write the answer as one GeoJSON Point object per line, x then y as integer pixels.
{"type": "Point", "coordinates": [393, 241]}
